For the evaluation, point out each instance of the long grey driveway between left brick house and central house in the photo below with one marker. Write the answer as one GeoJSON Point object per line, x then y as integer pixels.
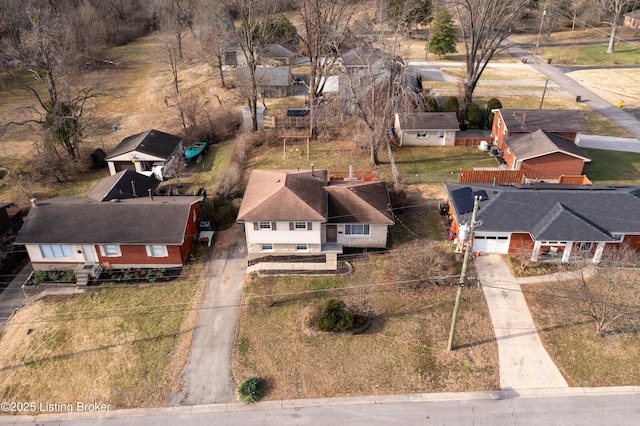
{"type": "Point", "coordinates": [207, 377]}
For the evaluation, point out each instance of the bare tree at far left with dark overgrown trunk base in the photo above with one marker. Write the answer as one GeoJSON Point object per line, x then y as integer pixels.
{"type": "Point", "coordinates": [48, 60]}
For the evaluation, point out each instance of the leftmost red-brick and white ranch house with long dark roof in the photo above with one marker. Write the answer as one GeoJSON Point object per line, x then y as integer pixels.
{"type": "Point", "coordinates": [118, 224]}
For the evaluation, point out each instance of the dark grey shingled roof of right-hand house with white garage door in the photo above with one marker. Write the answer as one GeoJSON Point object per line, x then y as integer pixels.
{"type": "Point", "coordinates": [563, 213]}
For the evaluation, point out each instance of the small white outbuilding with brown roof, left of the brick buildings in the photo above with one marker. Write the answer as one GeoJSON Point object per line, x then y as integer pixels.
{"type": "Point", "coordinates": [426, 128]}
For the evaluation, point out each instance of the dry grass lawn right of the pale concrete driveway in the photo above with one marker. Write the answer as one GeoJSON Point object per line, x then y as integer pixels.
{"type": "Point", "coordinates": [583, 359]}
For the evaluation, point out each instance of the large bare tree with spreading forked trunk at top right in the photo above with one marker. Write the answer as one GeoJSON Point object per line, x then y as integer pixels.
{"type": "Point", "coordinates": [484, 26]}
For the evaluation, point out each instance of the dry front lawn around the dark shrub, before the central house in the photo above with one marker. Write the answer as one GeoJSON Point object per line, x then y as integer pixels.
{"type": "Point", "coordinates": [404, 350]}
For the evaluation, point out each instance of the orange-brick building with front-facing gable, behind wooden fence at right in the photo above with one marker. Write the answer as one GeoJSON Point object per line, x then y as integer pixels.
{"type": "Point", "coordinates": [544, 155]}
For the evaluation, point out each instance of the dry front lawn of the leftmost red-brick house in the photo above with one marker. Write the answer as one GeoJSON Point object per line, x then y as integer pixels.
{"type": "Point", "coordinates": [124, 346]}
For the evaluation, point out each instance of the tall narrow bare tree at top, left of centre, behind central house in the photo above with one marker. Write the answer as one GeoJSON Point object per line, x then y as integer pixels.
{"type": "Point", "coordinates": [252, 35]}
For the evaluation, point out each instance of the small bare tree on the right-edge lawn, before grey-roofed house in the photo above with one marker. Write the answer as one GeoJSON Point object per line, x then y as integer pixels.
{"type": "Point", "coordinates": [611, 296]}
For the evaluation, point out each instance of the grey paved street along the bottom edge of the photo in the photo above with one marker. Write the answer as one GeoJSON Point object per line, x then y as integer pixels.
{"type": "Point", "coordinates": [600, 406]}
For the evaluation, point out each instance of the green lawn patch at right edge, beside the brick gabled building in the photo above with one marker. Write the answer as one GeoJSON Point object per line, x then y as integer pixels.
{"type": "Point", "coordinates": [613, 166]}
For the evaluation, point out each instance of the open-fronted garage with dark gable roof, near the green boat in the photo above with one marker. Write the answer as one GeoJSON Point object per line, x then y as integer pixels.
{"type": "Point", "coordinates": [153, 153]}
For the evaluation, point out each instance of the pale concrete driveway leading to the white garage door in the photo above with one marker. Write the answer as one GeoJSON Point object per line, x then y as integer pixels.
{"type": "Point", "coordinates": [524, 363]}
